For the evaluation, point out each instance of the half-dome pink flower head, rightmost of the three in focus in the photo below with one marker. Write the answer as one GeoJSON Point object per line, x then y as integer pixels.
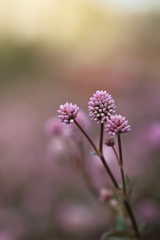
{"type": "Point", "coordinates": [116, 125]}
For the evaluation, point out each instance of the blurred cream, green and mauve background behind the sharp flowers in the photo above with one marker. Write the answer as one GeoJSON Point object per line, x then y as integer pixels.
{"type": "Point", "coordinates": [53, 51]}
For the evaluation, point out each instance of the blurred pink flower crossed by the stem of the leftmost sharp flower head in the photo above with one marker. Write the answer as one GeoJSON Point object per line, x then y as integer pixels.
{"type": "Point", "coordinates": [84, 121]}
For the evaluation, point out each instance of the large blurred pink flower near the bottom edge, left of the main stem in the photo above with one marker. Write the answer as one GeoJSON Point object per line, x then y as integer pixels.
{"type": "Point", "coordinates": [77, 218]}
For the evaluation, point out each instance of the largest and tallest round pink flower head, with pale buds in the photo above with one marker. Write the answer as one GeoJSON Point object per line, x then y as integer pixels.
{"type": "Point", "coordinates": [101, 106]}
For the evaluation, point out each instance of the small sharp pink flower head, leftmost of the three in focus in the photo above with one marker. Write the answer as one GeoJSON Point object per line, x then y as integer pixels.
{"type": "Point", "coordinates": [68, 112]}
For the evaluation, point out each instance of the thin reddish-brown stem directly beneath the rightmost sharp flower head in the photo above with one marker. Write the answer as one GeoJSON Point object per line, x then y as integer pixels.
{"type": "Point", "coordinates": [121, 163]}
